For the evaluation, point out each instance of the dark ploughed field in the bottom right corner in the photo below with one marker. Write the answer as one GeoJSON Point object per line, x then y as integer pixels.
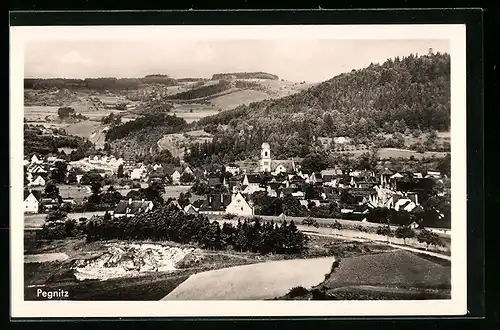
{"type": "Point", "coordinates": [392, 275]}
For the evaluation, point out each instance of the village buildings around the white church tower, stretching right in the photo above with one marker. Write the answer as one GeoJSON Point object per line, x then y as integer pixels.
{"type": "Point", "coordinates": [285, 178]}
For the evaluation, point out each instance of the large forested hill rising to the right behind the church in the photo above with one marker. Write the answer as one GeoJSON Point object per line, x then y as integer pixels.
{"type": "Point", "coordinates": [410, 92]}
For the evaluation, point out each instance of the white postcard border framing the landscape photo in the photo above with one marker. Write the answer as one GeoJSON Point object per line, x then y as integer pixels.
{"type": "Point", "coordinates": [49, 309]}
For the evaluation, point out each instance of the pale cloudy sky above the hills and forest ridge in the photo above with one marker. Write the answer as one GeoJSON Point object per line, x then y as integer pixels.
{"type": "Point", "coordinates": [294, 60]}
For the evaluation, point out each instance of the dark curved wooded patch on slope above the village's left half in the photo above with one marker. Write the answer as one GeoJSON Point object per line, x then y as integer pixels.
{"type": "Point", "coordinates": [150, 121]}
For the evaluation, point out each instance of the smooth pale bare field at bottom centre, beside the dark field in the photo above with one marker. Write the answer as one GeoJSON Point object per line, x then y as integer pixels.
{"type": "Point", "coordinates": [253, 282]}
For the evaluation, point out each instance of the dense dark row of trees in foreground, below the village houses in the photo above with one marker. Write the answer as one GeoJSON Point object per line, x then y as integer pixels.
{"type": "Point", "coordinates": [169, 224]}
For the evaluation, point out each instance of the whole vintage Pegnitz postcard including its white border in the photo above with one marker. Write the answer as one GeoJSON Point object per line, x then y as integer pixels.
{"type": "Point", "coordinates": [238, 170]}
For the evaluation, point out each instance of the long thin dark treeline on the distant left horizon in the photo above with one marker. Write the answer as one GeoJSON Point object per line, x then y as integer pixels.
{"type": "Point", "coordinates": [100, 84]}
